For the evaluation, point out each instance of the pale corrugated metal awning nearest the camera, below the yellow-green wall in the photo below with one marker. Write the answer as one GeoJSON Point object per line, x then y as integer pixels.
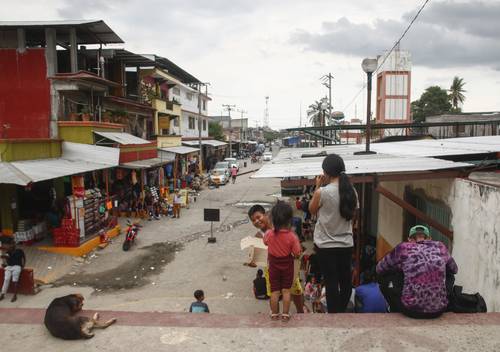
{"type": "Point", "coordinates": [75, 159]}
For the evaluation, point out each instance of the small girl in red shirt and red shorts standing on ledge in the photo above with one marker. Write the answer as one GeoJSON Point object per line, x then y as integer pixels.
{"type": "Point", "coordinates": [282, 246]}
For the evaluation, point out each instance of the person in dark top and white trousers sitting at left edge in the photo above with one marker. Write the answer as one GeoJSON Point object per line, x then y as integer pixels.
{"type": "Point", "coordinates": [15, 261]}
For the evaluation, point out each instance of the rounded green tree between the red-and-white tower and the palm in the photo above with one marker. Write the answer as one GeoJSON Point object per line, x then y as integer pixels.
{"type": "Point", "coordinates": [434, 101]}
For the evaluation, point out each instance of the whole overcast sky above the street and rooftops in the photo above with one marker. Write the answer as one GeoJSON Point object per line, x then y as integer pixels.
{"type": "Point", "coordinates": [280, 48]}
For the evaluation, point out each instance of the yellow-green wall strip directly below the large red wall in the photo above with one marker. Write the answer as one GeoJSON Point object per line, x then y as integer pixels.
{"type": "Point", "coordinates": [13, 150]}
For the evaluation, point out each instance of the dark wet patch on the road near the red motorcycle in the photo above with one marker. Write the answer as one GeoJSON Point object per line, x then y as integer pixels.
{"type": "Point", "coordinates": [131, 274]}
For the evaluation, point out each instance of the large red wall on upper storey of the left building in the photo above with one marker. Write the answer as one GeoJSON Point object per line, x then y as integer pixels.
{"type": "Point", "coordinates": [24, 94]}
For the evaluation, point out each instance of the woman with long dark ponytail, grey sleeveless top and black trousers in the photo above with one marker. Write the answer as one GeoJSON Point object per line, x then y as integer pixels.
{"type": "Point", "coordinates": [334, 202]}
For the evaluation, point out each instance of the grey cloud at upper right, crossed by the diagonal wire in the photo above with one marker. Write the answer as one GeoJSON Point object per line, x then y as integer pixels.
{"type": "Point", "coordinates": [448, 34]}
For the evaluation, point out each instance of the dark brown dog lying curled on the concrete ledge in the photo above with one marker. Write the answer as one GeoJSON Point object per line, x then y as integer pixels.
{"type": "Point", "coordinates": [62, 321]}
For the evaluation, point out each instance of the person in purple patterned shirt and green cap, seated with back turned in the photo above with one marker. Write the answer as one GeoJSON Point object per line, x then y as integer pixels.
{"type": "Point", "coordinates": [414, 274]}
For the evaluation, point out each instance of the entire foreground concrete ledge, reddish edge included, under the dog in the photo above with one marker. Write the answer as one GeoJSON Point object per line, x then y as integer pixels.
{"type": "Point", "coordinates": [155, 331]}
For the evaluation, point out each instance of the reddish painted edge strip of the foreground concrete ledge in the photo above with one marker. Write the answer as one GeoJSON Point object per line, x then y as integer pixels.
{"type": "Point", "coordinates": [258, 321]}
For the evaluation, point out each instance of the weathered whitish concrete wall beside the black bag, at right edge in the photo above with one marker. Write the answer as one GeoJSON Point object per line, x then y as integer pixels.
{"type": "Point", "coordinates": [476, 247]}
